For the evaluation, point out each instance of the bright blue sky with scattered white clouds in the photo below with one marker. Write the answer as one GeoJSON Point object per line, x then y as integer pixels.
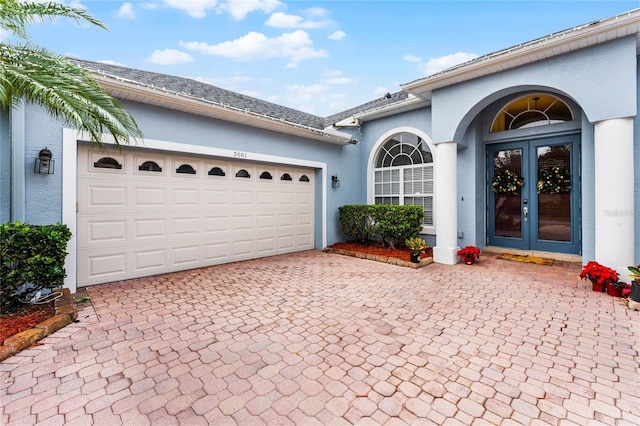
{"type": "Point", "coordinates": [321, 57]}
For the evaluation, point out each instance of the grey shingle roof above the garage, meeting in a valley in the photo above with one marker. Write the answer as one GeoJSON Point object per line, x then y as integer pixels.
{"type": "Point", "coordinates": [200, 90]}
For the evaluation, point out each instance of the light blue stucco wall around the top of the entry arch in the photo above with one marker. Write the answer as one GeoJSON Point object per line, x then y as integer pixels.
{"type": "Point", "coordinates": [602, 79]}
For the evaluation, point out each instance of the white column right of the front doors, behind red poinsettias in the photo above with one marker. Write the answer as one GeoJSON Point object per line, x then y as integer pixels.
{"type": "Point", "coordinates": [614, 203]}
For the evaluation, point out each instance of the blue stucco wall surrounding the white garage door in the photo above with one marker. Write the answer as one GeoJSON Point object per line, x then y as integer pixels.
{"type": "Point", "coordinates": [44, 192]}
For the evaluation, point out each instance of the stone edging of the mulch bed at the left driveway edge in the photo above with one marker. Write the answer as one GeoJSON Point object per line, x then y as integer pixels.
{"type": "Point", "coordinates": [66, 313]}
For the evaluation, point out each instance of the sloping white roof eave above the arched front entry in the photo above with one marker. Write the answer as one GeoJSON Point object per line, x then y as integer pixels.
{"type": "Point", "coordinates": [556, 44]}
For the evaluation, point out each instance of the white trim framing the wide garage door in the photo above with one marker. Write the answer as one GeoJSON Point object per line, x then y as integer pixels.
{"type": "Point", "coordinates": [70, 140]}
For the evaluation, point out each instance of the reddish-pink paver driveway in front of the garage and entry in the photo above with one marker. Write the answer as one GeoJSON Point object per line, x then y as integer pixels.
{"type": "Point", "coordinates": [317, 338]}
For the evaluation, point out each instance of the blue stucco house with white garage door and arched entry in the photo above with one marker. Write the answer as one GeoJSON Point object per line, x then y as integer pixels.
{"type": "Point", "coordinates": [535, 148]}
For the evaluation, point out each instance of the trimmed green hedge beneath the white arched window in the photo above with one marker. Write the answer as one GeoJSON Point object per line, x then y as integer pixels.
{"type": "Point", "coordinates": [387, 224]}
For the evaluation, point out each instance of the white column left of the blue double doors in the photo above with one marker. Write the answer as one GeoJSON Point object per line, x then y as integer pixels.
{"type": "Point", "coordinates": [446, 213]}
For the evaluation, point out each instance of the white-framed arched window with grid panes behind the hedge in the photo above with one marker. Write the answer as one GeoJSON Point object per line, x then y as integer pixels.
{"type": "Point", "coordinates": [403, 174]}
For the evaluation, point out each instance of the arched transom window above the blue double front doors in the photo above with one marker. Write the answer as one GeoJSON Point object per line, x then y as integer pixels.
{"type": "Point", "coordinates": [537, 109]}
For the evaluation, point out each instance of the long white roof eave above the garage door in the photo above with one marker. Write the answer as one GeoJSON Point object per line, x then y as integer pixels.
{"type": "Point", "coordinates": [141, 93]}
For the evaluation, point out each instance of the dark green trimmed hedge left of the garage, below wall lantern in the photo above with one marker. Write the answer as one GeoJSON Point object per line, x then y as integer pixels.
{"type": "Point", "coordinates": [31, 258]}
